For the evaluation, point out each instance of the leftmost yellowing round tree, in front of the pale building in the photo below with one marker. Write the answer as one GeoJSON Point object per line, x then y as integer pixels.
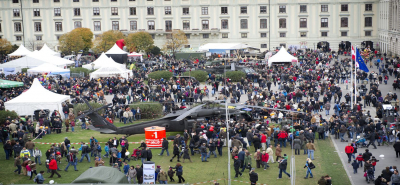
{"type": "Point", "coordinates": [71, 42]}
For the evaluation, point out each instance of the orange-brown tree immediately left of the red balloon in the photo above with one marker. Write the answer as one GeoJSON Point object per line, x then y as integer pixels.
{"type": "Point", "coordinates": [107, 40]}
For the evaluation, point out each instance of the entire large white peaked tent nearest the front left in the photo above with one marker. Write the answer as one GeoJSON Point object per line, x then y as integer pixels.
{"type": "Point", "coordinates": [37, 97]}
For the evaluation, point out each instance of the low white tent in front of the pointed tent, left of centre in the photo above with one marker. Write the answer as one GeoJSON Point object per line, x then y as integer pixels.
{"type": "Point", "coordinates": [109, 71]}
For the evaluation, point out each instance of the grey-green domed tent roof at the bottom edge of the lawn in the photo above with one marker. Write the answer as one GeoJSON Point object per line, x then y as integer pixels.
{"type": "Point", "coordinates": [102, 174]}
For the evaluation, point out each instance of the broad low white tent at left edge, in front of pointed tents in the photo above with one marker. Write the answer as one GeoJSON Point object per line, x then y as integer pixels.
{"type": "Point", "coordinates": [35, 59]}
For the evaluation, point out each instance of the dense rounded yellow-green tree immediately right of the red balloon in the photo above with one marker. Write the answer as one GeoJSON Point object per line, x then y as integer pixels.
{"type": "Point", "coordinates": [139, 41]}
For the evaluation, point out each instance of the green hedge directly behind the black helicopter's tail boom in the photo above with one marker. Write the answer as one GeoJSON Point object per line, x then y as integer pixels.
{"type": "Point", "coordinates": [148, 110]}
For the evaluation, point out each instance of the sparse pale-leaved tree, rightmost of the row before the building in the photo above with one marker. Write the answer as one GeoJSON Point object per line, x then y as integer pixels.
{"type": "Point", "coordinates": [176, 41]}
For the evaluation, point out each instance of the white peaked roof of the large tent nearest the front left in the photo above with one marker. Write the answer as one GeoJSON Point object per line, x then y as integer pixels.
{"type": "Point", "coordinates": [37, 93]}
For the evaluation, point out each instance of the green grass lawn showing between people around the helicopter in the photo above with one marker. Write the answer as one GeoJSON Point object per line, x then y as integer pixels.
{"type": "Point", "coordinates": [326, 160]}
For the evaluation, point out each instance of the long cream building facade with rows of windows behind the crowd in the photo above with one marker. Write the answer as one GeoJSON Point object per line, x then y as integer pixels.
{"type": "Point", "coordinates": [264, 24]}
